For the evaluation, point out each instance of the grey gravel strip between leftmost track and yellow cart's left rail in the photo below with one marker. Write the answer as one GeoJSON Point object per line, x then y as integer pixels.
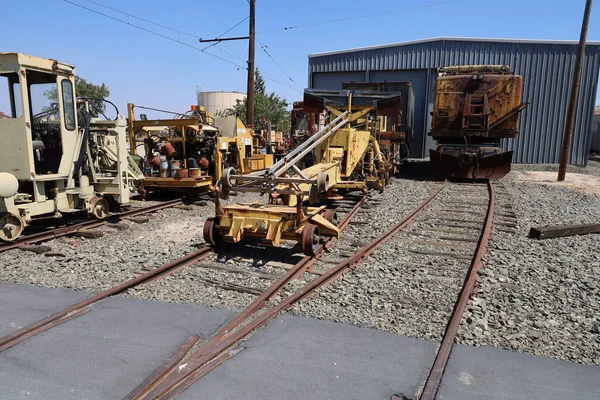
{"type": "Point", "coordinates": [126, 250]}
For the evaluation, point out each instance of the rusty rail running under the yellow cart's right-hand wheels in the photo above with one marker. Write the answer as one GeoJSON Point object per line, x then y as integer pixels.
{"type": "Point", "coordinates": [258, 303]}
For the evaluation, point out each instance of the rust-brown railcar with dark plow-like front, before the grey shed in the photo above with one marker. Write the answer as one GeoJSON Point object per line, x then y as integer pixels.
{"type": "Point", "coordinates": [475, 106]}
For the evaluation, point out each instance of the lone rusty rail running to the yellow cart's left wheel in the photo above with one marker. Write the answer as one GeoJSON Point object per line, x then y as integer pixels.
{"type": "Point", "coordinates": [79, 307]}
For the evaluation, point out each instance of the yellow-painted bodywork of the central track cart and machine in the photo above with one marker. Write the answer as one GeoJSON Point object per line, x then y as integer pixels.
{"type": "Point", "coordinates": [337, 158]}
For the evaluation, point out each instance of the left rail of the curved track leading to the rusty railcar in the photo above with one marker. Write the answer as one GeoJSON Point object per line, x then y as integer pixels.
{"type": "Point", "coordinates": [186, 374]}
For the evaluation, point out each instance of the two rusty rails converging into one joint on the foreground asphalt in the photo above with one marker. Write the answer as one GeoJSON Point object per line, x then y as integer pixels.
{"type": "Point", "coordinates": [185, 368]}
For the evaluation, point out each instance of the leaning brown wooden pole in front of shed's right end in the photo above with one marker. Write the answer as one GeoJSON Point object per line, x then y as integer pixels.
{"type": "Point", "coordinates": [564, 156]}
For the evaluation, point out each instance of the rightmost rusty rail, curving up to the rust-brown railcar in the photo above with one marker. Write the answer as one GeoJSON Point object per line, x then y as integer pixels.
{"type": "Point", "coordinates": [441, 360]}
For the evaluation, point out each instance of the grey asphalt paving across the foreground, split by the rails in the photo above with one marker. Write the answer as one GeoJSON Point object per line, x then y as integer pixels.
{"type": "Point", "coordinates": [111, 349]}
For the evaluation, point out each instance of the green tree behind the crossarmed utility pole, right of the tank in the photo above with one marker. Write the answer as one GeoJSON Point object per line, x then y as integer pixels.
{"type": "Point", "coordinates": [269, 106]}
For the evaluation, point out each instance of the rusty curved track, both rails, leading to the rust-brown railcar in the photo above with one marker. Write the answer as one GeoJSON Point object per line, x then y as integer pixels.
{"type": "Point", "coordinates": [186, 367]}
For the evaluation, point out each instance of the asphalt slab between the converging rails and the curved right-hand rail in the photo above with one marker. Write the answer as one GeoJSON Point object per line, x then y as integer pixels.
{"type": "Point", "coordinates": [304, 358]}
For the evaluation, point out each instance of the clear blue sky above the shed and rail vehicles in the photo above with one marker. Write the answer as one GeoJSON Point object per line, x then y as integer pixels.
{"type": "Point", "coordinates": [149, 70]}
